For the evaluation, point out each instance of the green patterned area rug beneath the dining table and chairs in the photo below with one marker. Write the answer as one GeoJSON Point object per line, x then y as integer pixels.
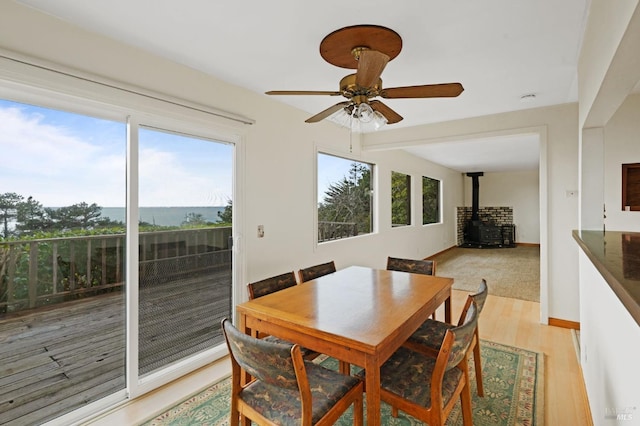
{"type": "Point", "coordinates": [513, 383]}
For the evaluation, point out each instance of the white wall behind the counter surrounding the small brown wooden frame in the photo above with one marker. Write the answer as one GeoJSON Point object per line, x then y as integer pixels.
{"type": "Point", "coordinates": [621, 146]}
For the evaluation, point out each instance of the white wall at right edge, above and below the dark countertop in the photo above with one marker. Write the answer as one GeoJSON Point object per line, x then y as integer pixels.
{"type": "Point", "coordinates": [608, 70]}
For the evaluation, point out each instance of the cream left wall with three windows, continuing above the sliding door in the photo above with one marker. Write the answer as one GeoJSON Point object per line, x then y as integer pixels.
{"type": "Point", "coordinates": [278, 152]}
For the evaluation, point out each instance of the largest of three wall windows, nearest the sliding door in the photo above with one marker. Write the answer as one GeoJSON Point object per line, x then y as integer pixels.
{"type": "Point", "coordinates": [345, 198]}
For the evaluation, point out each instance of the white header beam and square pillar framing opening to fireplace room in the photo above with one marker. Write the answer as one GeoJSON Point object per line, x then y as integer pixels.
{"type": "Point", "coordinates": [558, 129]}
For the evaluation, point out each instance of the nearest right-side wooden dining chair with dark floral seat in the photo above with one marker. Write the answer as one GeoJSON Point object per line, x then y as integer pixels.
{"type": "Point", "coordinates": [428, 388]}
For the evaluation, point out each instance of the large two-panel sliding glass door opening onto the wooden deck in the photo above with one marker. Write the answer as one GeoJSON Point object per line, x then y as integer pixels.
{"type": "Point", "coordinates": [70, 262]}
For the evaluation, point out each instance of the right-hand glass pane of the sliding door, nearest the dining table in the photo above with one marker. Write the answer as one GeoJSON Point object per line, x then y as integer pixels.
{"type": "Point", "coordinates": [185, 250]}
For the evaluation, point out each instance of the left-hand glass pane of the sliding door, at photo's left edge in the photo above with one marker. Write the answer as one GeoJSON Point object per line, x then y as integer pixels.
{"type": "Point", "coordinates": [62, 310]}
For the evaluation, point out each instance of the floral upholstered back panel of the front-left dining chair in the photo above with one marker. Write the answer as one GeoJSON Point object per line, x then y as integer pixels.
{"type": "Point", "coordinates": [269, 362]}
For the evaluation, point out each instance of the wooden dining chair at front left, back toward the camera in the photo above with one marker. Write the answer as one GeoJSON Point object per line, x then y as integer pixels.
{"type": "Point", "coordinates": [285, 389]}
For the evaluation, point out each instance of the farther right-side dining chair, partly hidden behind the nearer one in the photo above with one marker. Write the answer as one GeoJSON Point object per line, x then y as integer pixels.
{"type": "Point", "coordinates": [428, 337]}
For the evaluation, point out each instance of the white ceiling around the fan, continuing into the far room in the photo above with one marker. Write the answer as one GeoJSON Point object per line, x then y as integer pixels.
{"type": "Point", "coordinates": [499, 50]}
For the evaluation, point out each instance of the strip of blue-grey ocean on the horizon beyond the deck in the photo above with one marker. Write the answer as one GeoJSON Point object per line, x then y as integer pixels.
{"type": "Point", "coordinates": [165, 216]}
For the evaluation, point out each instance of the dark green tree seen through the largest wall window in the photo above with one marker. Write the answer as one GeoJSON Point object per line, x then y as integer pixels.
{"type": "Point", "coordinates": [349, 200]}
